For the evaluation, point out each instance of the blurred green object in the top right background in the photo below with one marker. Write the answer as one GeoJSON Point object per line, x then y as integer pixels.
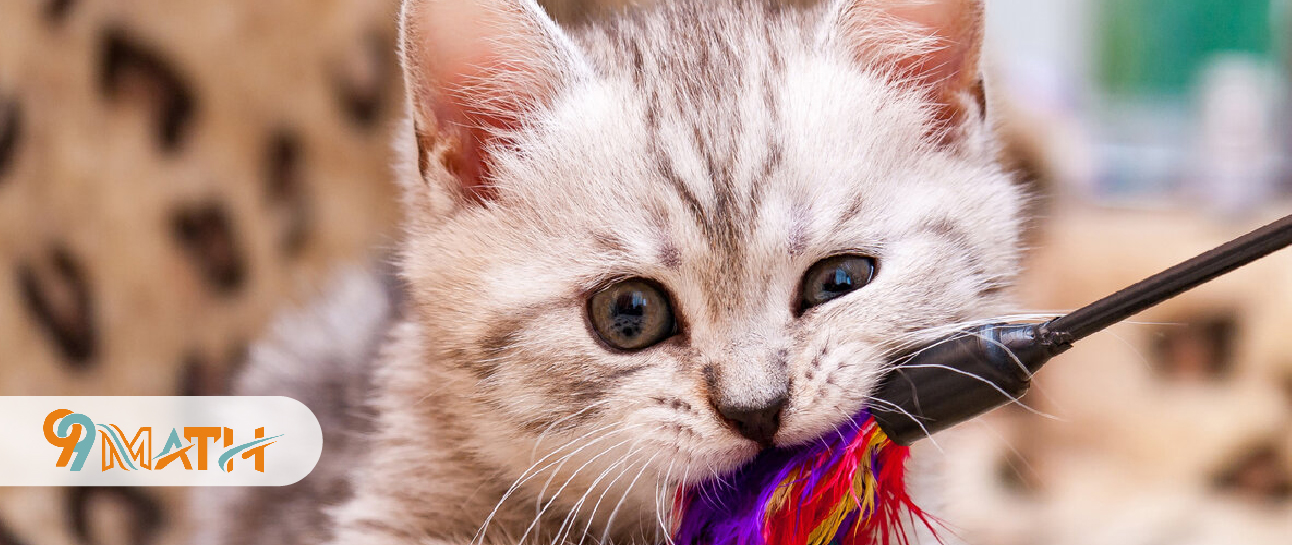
{"type": "Point", "coordinates": [1157, 47]}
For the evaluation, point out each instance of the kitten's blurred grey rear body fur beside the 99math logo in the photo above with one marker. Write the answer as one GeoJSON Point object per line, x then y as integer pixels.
{"type": "Point", "coordinates": [321, 356]}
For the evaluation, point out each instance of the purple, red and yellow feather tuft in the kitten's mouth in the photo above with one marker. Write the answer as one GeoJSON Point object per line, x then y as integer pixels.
{"type": "Point", "coordinates": [846, 489]}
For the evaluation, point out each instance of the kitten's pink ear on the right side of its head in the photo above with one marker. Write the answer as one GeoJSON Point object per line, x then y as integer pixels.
{"type": "Point", "coordinates": [932, 43]}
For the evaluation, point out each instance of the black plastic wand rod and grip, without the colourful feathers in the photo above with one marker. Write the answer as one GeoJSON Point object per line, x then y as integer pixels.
{"type": "Point", "coordinates": [977, 370]}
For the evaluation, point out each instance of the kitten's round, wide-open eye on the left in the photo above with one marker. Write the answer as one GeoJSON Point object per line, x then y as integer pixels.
{"type": "Point", "coordinates": [632, 316]}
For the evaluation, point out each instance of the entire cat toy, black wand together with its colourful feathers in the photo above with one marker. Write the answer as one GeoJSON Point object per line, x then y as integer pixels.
{"type": "Point", "coordinates": [849, 486]}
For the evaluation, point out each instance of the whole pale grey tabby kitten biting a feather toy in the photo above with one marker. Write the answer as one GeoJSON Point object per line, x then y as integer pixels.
{"type": "Point", "coordinates": [640, 254]}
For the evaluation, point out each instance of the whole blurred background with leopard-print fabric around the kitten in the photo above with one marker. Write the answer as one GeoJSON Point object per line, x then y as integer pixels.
{"type": "Point", "coordinates": [174, 171]}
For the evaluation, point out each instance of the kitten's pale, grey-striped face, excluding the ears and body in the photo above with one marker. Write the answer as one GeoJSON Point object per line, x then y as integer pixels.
{"type": "Point", "coordinates": [719, 174]}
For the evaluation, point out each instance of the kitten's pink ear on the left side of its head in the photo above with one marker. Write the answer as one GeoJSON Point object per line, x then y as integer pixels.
{"type": "Point", "coordinates": [474, 70]}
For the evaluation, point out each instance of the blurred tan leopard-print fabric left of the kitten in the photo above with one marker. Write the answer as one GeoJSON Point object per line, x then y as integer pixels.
{"type": "Point", "coordinates": [171, 174]}
